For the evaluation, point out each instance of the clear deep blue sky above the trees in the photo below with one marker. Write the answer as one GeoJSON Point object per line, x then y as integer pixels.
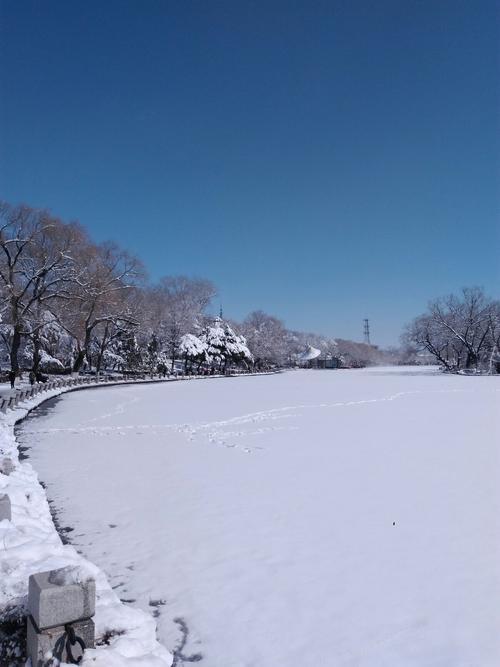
{"type": "Point", "coordinates": [324, 161]}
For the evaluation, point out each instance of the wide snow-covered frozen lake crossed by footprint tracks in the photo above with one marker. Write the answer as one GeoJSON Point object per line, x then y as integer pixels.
{"type": "Point", "coordinates": [312, 518]}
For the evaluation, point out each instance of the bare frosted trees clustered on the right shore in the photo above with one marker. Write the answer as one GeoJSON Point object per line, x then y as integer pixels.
{"type": "Point", "coordinates": [461, 332]}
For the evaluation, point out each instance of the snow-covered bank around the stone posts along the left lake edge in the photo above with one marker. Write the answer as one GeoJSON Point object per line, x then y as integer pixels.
{"type": "Point", "coordinates": [29, 543]}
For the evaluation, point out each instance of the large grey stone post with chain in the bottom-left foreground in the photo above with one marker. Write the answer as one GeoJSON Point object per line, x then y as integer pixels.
{"type": "Point", "coordinates": [60, 616]}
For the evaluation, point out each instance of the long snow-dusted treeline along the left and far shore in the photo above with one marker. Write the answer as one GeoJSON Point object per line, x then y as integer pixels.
{"type": "Point", "coordinates": [68, 303]}
